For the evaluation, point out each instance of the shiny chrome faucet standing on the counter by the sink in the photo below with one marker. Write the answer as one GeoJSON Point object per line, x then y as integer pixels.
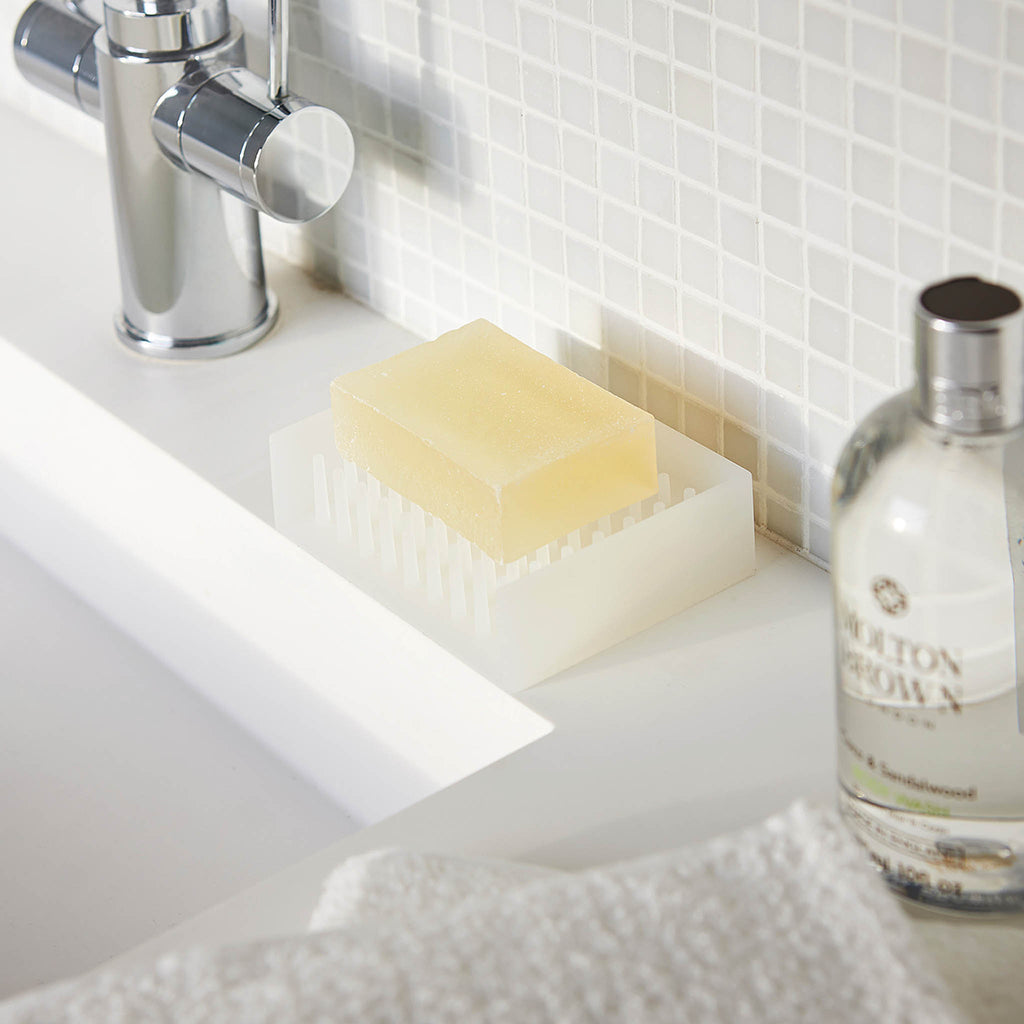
{"type": "Point", "coordinates": [198, 145]}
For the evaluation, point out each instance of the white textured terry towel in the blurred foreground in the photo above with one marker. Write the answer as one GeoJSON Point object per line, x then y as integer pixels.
{"type": "Point", "coordinates": [782, 923]}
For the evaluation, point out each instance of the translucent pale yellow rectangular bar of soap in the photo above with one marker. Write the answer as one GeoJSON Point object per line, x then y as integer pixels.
{"type": "Point", "coordinates": [507, 447]}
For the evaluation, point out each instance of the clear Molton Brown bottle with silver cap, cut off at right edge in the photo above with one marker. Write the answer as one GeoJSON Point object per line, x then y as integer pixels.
{"type": "Point", "coordinates": [928, 576]}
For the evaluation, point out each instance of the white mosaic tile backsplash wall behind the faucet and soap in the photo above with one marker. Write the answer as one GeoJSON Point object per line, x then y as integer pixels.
{"type": "Point", "coordinates": [719, 209]}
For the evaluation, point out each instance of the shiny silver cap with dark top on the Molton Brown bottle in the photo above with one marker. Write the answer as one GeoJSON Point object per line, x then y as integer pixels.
{"type": "Point", "coordinates": [969, 354]}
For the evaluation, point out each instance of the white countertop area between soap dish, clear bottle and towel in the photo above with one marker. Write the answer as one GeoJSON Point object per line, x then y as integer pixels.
{"type": "Point", "coordinates": [708, 722]}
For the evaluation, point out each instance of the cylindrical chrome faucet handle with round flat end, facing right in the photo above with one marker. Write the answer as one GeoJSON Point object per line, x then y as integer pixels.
{"type": "Point", "coordinates": [289, 158]}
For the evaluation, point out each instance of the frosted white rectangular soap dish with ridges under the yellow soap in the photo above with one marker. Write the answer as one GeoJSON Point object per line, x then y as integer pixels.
{"type": "Point", "coordinates": [521, 623]}
